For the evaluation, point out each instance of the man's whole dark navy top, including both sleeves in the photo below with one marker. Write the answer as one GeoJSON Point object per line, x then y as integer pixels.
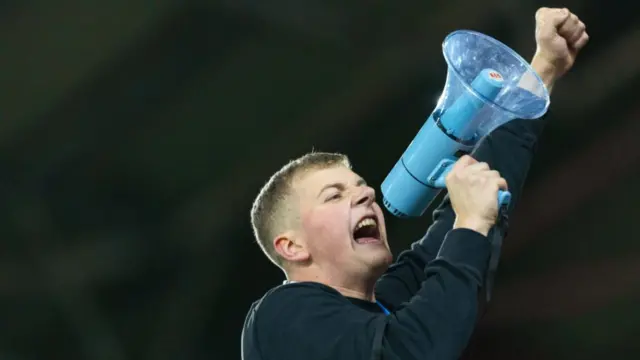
{"type": "Point", "coordinates": [432, 289]}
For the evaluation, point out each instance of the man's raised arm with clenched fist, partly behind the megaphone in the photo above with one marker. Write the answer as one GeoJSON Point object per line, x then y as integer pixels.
{"type": "Point", "coordinates": [560, 35]}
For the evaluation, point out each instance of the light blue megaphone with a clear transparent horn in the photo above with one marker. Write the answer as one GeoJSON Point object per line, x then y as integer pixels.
{"type": "Point", "coordinates": [488, 84]}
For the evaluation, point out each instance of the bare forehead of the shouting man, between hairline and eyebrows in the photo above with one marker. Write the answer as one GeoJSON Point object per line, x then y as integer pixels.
{"type": "Point", "coordinates": [312, 181]}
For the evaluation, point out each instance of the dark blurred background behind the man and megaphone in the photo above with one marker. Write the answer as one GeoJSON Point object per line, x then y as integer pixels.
{"type": "Point", "coordinates": [135, 134]}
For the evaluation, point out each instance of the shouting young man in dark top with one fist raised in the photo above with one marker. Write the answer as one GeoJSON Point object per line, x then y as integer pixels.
{"type": "Point", "coordinates": [318, 221]}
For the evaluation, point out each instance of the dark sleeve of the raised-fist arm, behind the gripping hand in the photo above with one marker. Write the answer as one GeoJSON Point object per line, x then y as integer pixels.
{"type": "Point", "coordinates": [509, 149]}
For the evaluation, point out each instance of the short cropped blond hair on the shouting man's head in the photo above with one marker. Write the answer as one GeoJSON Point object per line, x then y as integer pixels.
{"type": "Point", "coordinates": [273, 212]}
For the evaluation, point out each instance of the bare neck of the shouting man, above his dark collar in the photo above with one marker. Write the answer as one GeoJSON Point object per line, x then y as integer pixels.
{"type": "Point", "coordinates": [362, 290]}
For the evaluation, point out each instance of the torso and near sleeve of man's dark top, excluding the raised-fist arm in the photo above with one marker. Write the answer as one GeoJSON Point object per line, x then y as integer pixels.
{"type": "Point", "coordinates": [311, 321]}
